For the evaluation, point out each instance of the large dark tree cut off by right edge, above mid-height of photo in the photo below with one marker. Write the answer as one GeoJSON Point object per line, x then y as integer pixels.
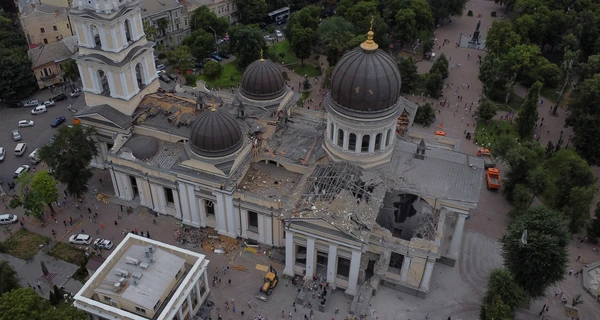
{"type": "Point", "coordinates": [585, 119]}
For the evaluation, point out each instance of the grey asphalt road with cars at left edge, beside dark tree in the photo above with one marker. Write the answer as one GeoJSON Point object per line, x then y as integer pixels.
{"type": "Point", "coordinates": [35, 136]}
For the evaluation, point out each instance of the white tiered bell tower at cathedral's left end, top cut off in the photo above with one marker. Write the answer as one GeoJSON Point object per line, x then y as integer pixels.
{"type": "Point", "coordinates": [116, 62]}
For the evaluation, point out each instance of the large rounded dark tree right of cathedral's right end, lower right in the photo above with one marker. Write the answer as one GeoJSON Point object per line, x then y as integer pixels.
{"type": "Point", "coordinates": [535, 249]}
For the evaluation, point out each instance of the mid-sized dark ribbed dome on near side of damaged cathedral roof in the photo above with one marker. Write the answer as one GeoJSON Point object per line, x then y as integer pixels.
{"type": "Point", "coordinates": [215, 134]}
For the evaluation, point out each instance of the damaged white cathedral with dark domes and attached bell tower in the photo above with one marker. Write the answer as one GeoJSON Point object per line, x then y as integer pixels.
{"type": "Point", "coordinates": [347, 191]}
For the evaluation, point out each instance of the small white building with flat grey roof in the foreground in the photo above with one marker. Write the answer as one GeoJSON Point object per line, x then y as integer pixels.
{"type": "Point", "coordinates": [146, 279]}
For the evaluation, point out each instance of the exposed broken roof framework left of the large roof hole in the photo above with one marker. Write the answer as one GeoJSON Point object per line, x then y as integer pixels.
{"type": "Point", "coordinates": [328, 180]}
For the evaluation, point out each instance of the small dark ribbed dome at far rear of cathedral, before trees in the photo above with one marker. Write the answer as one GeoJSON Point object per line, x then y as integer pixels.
{"type": "Point", "coordinates": [262, 80]}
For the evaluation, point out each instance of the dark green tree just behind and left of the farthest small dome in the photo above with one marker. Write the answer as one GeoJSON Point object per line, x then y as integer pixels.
{"type": "Point", "coordinates": [246, 42]}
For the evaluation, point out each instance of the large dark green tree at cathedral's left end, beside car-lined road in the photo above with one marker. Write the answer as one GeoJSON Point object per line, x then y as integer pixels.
{"type": "Point", "coordinates": [69, 156]}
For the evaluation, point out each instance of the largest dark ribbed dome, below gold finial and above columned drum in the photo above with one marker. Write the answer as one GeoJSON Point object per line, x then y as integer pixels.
{"type": "Point", "coordinates": [365, 83]}
